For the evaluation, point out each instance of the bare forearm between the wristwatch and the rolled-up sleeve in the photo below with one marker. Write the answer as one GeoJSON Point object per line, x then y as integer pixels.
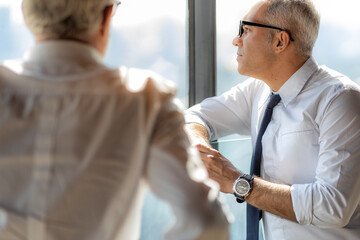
{"type": "Point", "coordinates": [273, 198]}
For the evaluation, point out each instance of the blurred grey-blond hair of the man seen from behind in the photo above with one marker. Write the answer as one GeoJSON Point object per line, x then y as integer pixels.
{"type": "Point", "coordinates": [64, 18]}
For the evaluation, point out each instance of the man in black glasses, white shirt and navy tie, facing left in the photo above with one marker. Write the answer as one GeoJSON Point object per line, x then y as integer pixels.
{"type": "Point", "coordinates": [304, 119]}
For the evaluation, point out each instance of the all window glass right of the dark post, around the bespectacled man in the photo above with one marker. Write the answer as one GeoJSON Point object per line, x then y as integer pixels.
{"type": "Point", "coordinates": [337, 47]}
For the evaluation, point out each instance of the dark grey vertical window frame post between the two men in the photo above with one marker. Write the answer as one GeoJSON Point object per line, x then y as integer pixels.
{"type": "Point", "coordinates": [201, 39]}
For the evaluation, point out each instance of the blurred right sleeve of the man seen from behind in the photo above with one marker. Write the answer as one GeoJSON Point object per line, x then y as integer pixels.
{"type": "Point", "coordinates": [176, 174]}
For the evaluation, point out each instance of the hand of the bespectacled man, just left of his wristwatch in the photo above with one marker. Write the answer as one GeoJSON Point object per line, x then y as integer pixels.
{"type": "Point", "coordinates": [219, 168]}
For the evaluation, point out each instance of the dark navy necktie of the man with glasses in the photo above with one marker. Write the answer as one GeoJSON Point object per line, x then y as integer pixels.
{"type": "Point", "coordinates": [253, 214]}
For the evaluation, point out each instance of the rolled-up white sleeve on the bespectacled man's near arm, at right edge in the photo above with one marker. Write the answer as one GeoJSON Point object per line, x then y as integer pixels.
{"type": "Point", "coordinates": [332, 199]}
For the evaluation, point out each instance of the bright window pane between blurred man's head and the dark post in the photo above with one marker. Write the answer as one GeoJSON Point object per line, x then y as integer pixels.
{"type": "Point", "coordinates": [151, 35]}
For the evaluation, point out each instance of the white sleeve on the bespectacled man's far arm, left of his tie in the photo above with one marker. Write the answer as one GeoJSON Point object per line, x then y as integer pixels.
{"type": "Point", "coordinates": [226, 114]}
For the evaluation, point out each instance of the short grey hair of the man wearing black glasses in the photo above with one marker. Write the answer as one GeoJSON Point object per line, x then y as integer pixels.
{"type": "Point", "coordinates": [300, 18]}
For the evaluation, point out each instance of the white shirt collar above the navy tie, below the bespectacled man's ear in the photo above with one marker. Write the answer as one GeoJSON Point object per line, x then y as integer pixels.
{"type": "Point", "coordinates": [294, 85]}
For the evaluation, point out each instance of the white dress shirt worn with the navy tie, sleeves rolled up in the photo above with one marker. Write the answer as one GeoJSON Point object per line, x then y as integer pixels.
{"type": "Point", "coordinates": [312, 143]}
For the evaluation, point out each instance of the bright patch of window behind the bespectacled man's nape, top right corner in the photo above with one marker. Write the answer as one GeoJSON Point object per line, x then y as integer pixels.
{"type": "Point", "coordinates": [338, 43]}
